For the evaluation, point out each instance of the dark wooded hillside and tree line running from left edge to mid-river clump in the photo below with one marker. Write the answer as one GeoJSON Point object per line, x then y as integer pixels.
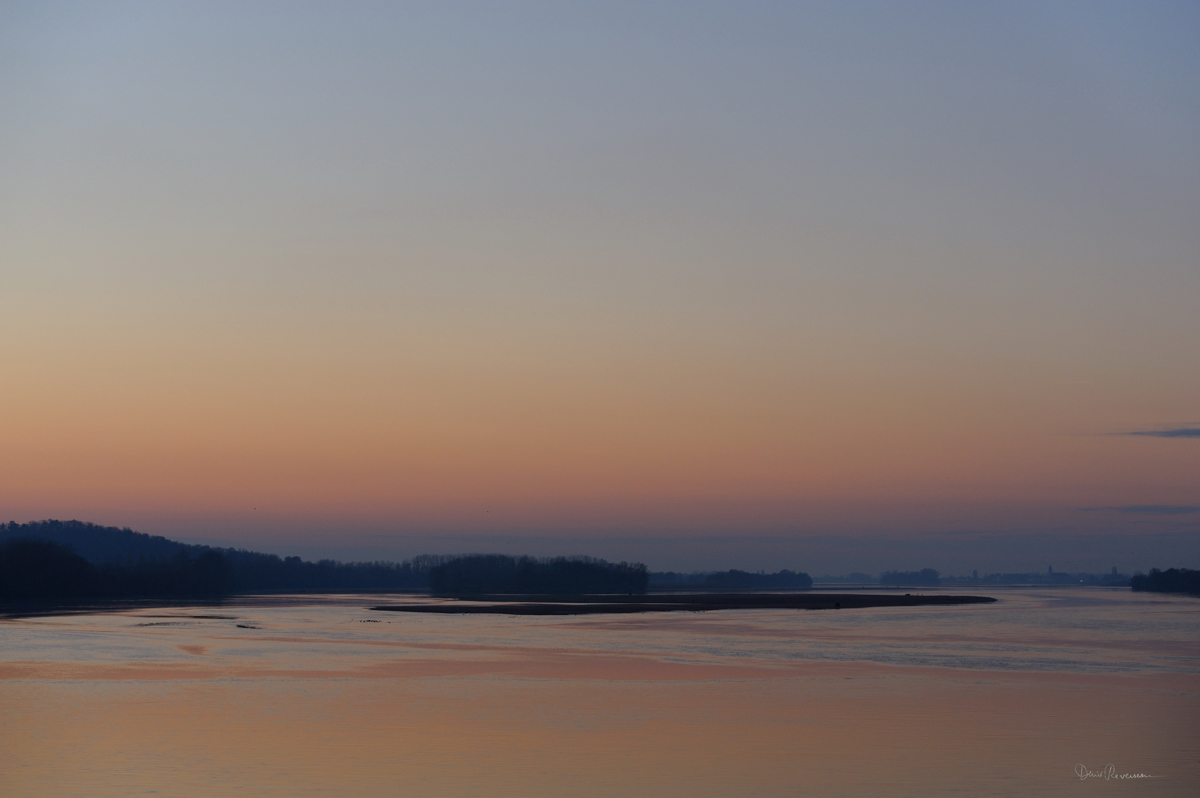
{"type": "Point", "coordinates": [71, 560]}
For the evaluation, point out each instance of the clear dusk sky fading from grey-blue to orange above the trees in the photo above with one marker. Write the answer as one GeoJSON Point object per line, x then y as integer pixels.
{"type": "Point", "coordinates": [823, 286]}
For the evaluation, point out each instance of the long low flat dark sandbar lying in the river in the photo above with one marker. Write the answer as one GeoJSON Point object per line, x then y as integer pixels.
{"type": "Point", "coordinates": [551, 605]}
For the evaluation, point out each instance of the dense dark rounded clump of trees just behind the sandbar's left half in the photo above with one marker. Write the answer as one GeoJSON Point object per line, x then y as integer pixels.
{"type": "Point", "coordinates": [561, 575]}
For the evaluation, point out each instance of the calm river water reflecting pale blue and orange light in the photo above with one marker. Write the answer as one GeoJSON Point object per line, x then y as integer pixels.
{"type": "Point", "coordinates": [321, 697]}
